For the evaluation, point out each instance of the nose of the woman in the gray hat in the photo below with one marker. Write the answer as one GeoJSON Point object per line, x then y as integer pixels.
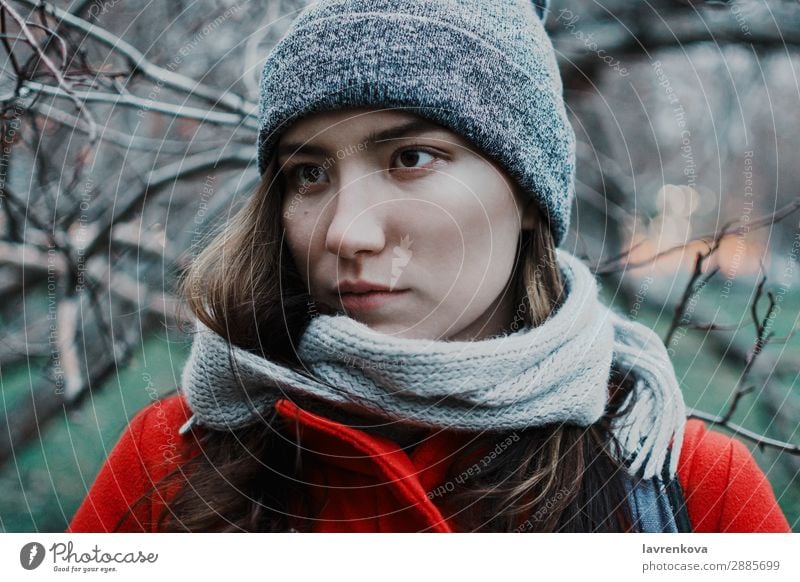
{"type": "Point", "coordinates": [357, 222]}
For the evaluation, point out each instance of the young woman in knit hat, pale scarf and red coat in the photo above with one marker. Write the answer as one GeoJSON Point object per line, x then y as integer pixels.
{"type": "Point", "coordinates": [388, 336]}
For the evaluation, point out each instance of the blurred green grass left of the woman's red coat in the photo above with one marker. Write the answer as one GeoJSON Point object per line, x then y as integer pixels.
{"type": "Point", "coordinates": [46, 481]}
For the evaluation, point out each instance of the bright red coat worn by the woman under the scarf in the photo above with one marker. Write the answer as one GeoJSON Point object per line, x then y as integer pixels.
{"type": "Point", "coordinates": [725, 490]}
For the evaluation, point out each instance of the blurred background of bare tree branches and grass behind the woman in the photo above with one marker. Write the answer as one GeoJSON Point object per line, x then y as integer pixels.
{"type": "Point", "coordinates": [128, 138]}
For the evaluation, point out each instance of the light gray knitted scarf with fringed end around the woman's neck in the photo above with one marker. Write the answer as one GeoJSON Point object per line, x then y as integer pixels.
{"type": "Point", "coordinates": [556, 372]}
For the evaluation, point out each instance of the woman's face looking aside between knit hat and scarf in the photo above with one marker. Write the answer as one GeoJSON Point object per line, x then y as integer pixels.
{"type": "Point", "coordinates": [385, 199]}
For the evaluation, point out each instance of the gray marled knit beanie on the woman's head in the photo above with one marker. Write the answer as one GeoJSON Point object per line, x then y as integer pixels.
{"type": "Point", "coordinates": [486, 69]}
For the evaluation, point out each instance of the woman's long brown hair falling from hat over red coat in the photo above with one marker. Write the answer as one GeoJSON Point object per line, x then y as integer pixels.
{"type": "Point", "coordinates": [245, 287]}
